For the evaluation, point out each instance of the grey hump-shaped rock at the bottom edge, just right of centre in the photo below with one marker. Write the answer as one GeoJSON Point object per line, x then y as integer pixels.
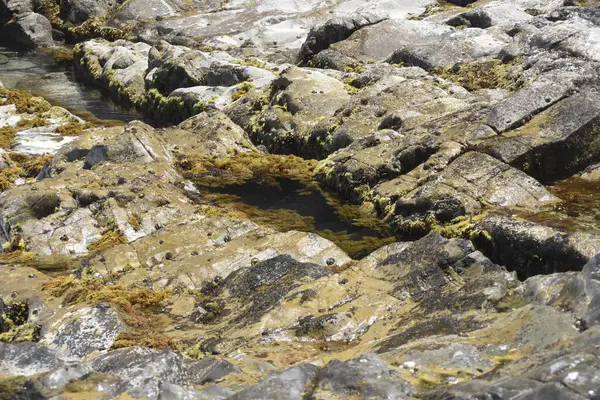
{"type": "Point", "coordinates": [366, 376]}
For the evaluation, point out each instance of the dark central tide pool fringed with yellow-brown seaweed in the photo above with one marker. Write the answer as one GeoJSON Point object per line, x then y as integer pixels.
{"type": "Point", "coordinates": [291, 205]}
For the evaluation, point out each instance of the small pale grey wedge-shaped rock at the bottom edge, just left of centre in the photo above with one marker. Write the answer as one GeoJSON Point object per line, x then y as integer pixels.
{"type": "Point", "coordinates": [291, 384]}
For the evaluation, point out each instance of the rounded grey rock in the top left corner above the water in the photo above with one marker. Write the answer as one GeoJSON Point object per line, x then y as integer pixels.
{"type": "Point", "coordinates": [30, 30]}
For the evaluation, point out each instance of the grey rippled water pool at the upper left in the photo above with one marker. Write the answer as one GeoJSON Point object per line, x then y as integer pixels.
{"type": "Point", "coordinates": [37, 73]}
